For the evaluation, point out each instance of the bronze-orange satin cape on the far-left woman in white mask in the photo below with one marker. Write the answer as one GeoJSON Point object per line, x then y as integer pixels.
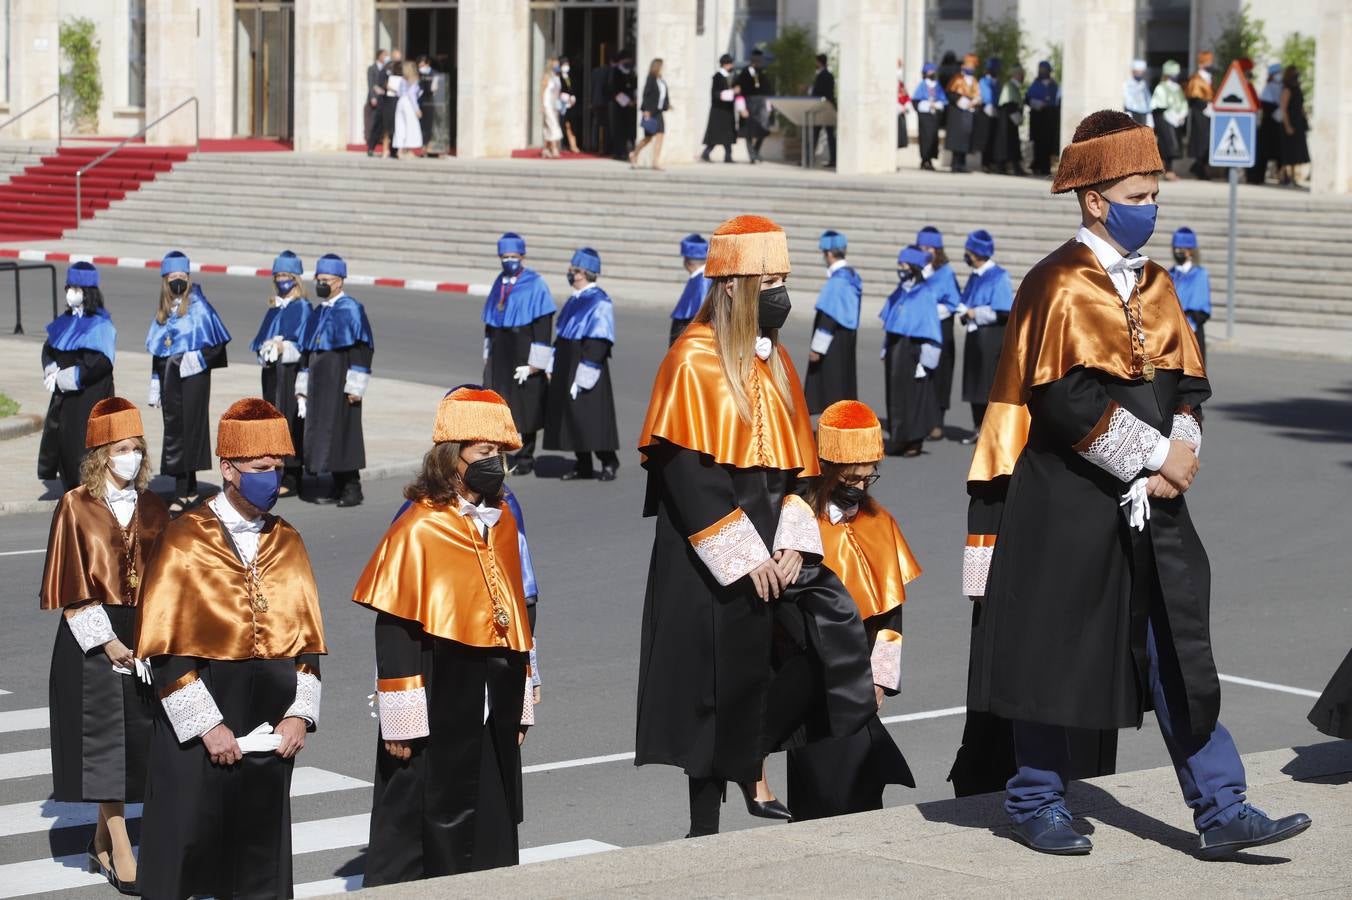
{"type": "Point", "coordinates": [84, 551]}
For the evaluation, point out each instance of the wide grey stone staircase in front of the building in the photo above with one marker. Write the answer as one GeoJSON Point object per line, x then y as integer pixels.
{"type": "Point", "coordinates": [1295, 251]}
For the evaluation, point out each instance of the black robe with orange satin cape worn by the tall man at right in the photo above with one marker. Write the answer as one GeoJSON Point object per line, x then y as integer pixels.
{"type": "Point", "coordinates": [1059, 636]}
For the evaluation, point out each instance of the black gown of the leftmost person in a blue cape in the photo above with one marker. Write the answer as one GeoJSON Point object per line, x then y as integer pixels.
{"type": "Point", "coordinates": [68, 413]}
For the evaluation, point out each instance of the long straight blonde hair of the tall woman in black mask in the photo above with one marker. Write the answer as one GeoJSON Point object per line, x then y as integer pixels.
{"type": "Point", "coordinates": [736, 322]}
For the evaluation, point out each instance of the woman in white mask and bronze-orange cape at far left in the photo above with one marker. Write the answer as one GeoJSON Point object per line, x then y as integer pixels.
{"type": "Point", "coordinates": [102, 710]}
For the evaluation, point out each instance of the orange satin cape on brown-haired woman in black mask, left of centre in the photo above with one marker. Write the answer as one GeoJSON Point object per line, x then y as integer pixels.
{"type": "Point", "coordinates": [435, 568]}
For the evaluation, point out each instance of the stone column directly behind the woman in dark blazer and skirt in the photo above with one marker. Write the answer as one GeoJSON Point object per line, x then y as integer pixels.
{"type": "Point", "coordinates": [667, 32]}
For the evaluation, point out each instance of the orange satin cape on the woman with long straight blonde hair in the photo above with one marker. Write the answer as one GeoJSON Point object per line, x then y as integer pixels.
{"type": "Point", "coordinates": [693, 409]}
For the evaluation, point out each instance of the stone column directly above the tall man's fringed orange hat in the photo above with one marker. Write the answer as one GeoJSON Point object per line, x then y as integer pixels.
{"type": "Point", "coordinates": [1098, 43]}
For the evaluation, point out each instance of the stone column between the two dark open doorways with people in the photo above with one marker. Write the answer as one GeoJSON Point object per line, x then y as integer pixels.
{"type": "Point", "coordinates": [493, 90]}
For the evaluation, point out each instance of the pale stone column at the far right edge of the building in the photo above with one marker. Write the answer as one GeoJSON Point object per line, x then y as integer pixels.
{"type": "Point", "coordinates": [1331, 139]}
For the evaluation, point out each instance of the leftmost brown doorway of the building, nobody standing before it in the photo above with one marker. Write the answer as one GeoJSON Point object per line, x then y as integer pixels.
{"type": "Point", "coordinates": [264, 68]}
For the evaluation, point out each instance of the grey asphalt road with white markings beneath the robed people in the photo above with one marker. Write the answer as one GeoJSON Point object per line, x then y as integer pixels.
{"type": "Point", "coordinates": [1272, 503]}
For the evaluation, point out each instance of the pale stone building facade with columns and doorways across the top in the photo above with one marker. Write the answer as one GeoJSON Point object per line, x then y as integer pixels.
{"type": "Point", "coordinates": [297, 70]}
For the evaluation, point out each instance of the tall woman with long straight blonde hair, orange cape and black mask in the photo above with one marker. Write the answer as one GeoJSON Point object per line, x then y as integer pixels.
{"type": "Point", "coordinates": [738, 601]}
